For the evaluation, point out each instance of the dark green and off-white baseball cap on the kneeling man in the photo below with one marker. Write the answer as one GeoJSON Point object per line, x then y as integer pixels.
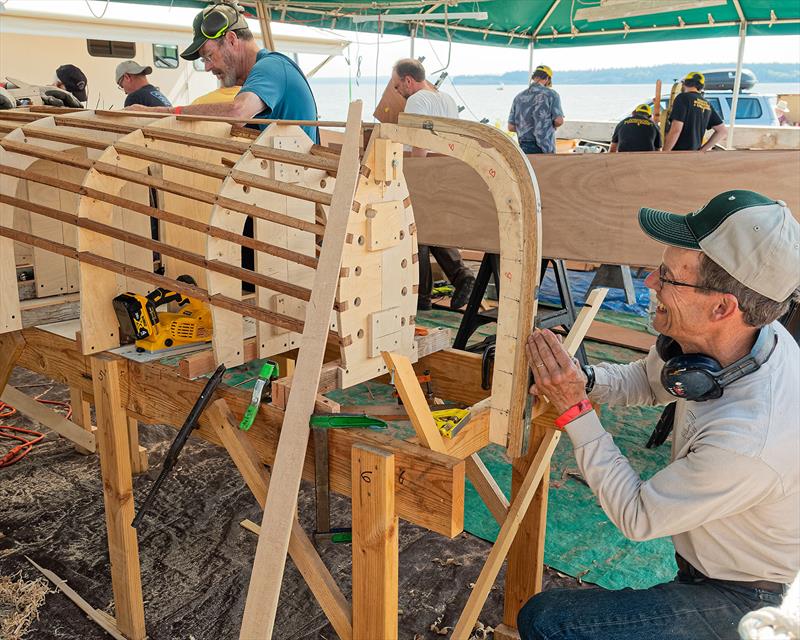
{"type": "Point", "coordinates": [754, 238]}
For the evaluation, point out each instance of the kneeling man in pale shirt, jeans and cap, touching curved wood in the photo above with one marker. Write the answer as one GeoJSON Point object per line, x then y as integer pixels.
{"type": "Point", "coordinates": [730, 497]}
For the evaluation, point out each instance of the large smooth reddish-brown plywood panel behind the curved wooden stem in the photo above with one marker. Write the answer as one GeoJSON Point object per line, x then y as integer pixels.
{"type": "Point", "coordinates": [590, 202]}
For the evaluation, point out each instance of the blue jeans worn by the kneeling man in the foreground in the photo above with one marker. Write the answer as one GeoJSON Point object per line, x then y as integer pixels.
{"type": "Point", "coordinates": [673, 611]}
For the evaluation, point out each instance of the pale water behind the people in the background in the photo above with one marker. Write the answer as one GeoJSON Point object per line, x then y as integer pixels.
{"type": "Point", "coordinates": [579, 101]}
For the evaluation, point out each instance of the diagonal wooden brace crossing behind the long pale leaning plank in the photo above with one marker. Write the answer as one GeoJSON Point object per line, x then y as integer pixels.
{"type": "Point", "coordinates": [301, 549]}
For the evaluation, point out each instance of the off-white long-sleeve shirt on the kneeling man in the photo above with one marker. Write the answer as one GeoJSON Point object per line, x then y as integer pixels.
{"type": "Point", "coordinates": [730, 497]}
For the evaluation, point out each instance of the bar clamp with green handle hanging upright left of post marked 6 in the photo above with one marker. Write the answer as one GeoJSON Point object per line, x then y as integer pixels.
{"type": "Point", "coordinates": [320, 423]}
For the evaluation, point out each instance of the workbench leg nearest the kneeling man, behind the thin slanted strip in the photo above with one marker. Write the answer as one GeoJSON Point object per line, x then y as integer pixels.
{"type": "Point", "coordinates": [525, 568]}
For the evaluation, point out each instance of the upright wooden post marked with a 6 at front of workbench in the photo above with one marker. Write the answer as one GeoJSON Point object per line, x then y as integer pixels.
{"type": "Point", "coordinates": [375, 545]}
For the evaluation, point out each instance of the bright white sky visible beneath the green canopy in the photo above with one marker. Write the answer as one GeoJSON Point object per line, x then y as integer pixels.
{"type": "Point", "coordinates": [376, 54]}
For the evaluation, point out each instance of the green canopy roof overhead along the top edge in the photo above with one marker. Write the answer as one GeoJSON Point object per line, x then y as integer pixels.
{"type": "Point", "coordinates": [512, 23]}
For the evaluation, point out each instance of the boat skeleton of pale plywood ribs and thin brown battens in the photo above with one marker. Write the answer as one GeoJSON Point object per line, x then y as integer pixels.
{"type": "Point", "coordinates": [78, 187]}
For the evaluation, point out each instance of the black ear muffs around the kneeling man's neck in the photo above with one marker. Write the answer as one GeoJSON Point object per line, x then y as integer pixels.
{"type": "Point", "coordinates": [699, 377]}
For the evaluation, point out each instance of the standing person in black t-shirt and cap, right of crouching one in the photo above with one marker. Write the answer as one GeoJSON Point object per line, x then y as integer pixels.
{"type": "Point", "coordinates": [691, 117]}
